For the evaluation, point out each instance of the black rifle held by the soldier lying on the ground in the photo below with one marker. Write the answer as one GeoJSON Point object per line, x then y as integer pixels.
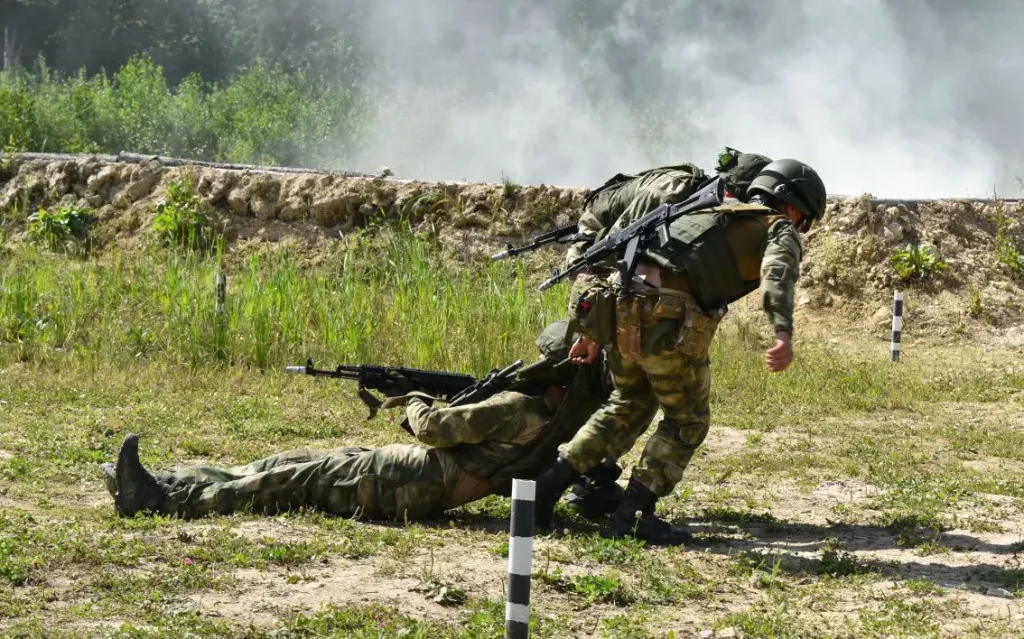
{"type": "Point", "coordinates": [455, 389]}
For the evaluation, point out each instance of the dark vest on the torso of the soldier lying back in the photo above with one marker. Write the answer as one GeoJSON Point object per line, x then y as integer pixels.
{"type": "Point", "coordinates": [500, 462]}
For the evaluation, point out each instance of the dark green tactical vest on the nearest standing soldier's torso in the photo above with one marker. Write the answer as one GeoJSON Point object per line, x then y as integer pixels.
{"type": "Point", "coordinates": [699, 247]}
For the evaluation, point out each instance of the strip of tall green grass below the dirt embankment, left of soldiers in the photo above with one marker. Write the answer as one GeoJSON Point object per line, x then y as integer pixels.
{"type": "Point", "coordinates": [161, 307]}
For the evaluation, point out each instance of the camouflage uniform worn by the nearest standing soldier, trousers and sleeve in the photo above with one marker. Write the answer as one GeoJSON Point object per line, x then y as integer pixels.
{"type": "Point", "coordinates": [660, 357]}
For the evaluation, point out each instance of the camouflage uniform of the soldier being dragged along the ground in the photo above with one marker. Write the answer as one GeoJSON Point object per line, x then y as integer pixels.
{"type": "Point", "coordinates": [398, 482]}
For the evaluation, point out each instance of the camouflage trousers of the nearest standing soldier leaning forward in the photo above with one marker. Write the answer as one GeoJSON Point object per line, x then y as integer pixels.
{"type": "Point", "coordinates": [675, 377]}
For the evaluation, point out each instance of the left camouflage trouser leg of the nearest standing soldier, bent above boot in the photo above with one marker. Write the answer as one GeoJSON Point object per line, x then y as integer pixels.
{"type": "Point", "coordinates": [614, 429]}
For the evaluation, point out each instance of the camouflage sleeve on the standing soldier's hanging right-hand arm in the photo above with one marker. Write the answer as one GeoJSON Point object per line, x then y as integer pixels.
{"type": "Point", "coordinates": [780, 270]}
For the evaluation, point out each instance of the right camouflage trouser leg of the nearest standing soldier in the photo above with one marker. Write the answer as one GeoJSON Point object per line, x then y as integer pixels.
{"type": "Point", "coordinates": [682, 386]}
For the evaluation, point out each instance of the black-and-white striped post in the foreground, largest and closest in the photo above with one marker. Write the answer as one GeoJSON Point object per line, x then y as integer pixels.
{"type": "Point", "coordinates": [521, 560]}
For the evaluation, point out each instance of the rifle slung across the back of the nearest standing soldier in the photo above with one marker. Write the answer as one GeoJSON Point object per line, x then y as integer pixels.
{"type": "Point", "coordinates": [638, 235]}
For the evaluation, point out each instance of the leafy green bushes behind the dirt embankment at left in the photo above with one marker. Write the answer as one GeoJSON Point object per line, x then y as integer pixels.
{"type": "Point", "coordinates": [264, 115]}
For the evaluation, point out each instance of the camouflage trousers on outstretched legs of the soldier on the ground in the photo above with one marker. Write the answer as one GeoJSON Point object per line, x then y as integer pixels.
{"type": "Point", "coordinates": [396, 482]}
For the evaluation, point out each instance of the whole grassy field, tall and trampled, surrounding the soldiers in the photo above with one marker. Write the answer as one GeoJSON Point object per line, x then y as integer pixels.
{"type": "Point", "coordinates": [100, 346]}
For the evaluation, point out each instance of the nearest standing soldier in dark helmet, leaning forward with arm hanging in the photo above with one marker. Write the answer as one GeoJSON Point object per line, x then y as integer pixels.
{"type": "Point", "coordinates": [658, 338]}
